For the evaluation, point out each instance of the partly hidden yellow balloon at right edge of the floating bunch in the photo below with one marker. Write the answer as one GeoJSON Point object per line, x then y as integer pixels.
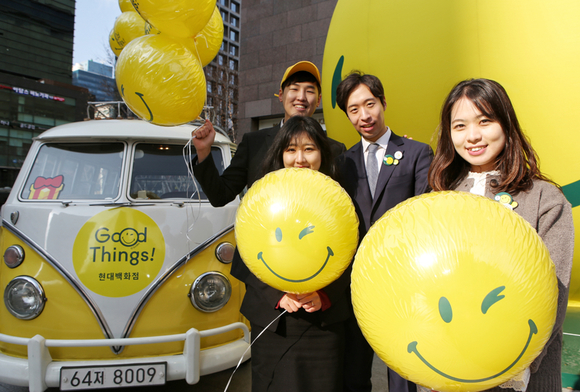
{"type": "Point", "coordinates": [207, 43]}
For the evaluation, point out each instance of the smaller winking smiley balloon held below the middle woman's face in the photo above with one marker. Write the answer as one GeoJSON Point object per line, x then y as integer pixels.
{"type": "Point", "coordinates": [296, 230]}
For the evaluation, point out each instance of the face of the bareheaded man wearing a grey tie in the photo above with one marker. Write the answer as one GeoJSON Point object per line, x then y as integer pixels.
{"type": "Point", "coordinates": [366, 113]}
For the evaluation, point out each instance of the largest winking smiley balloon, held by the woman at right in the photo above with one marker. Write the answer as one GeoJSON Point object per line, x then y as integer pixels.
{"type": "Point", "coordinates": [454, 291]}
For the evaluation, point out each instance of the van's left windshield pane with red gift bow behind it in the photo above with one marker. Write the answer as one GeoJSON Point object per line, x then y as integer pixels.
{"type": "Point", "coordinates": [75, 171]}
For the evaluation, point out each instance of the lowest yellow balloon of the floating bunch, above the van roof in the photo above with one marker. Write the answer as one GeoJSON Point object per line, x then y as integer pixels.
{"type": "Point", "coordinates": [161, 80]}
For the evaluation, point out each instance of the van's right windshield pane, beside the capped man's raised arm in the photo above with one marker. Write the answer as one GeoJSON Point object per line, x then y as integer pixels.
{"type": "Point", "coordinates": [160, 172]}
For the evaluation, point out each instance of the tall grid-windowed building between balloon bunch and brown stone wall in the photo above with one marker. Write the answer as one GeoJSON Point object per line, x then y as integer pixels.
{"type": "Point", "coordinates": [222, 74]}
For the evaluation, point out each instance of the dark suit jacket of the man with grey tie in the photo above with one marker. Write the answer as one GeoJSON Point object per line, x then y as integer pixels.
{"type": "Point", "coordinates": [395, 183]}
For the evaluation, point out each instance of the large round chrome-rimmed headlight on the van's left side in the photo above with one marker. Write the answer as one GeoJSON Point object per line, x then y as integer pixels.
{"type": "Point", "coordinates": [24, 297]}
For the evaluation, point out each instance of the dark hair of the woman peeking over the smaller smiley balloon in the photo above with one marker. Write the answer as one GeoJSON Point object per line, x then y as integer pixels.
{"type": "Point", "coordinates": [292, 128]}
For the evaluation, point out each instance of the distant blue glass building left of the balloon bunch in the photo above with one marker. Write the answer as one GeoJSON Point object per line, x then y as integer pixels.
{"type": "Point", "coordinates": [97, 78]}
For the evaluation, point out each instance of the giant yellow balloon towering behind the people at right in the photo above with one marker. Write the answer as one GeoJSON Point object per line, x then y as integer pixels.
{"type": "Point", "coordinates": [426, 47]}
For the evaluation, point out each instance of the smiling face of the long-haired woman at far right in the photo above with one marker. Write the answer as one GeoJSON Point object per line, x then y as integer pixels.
{"type": "Point", "coordinates": [477, 139]}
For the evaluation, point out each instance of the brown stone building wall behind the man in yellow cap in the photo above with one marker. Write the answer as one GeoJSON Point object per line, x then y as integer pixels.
{"type": "Point", "coordinates": [275, 35]}
